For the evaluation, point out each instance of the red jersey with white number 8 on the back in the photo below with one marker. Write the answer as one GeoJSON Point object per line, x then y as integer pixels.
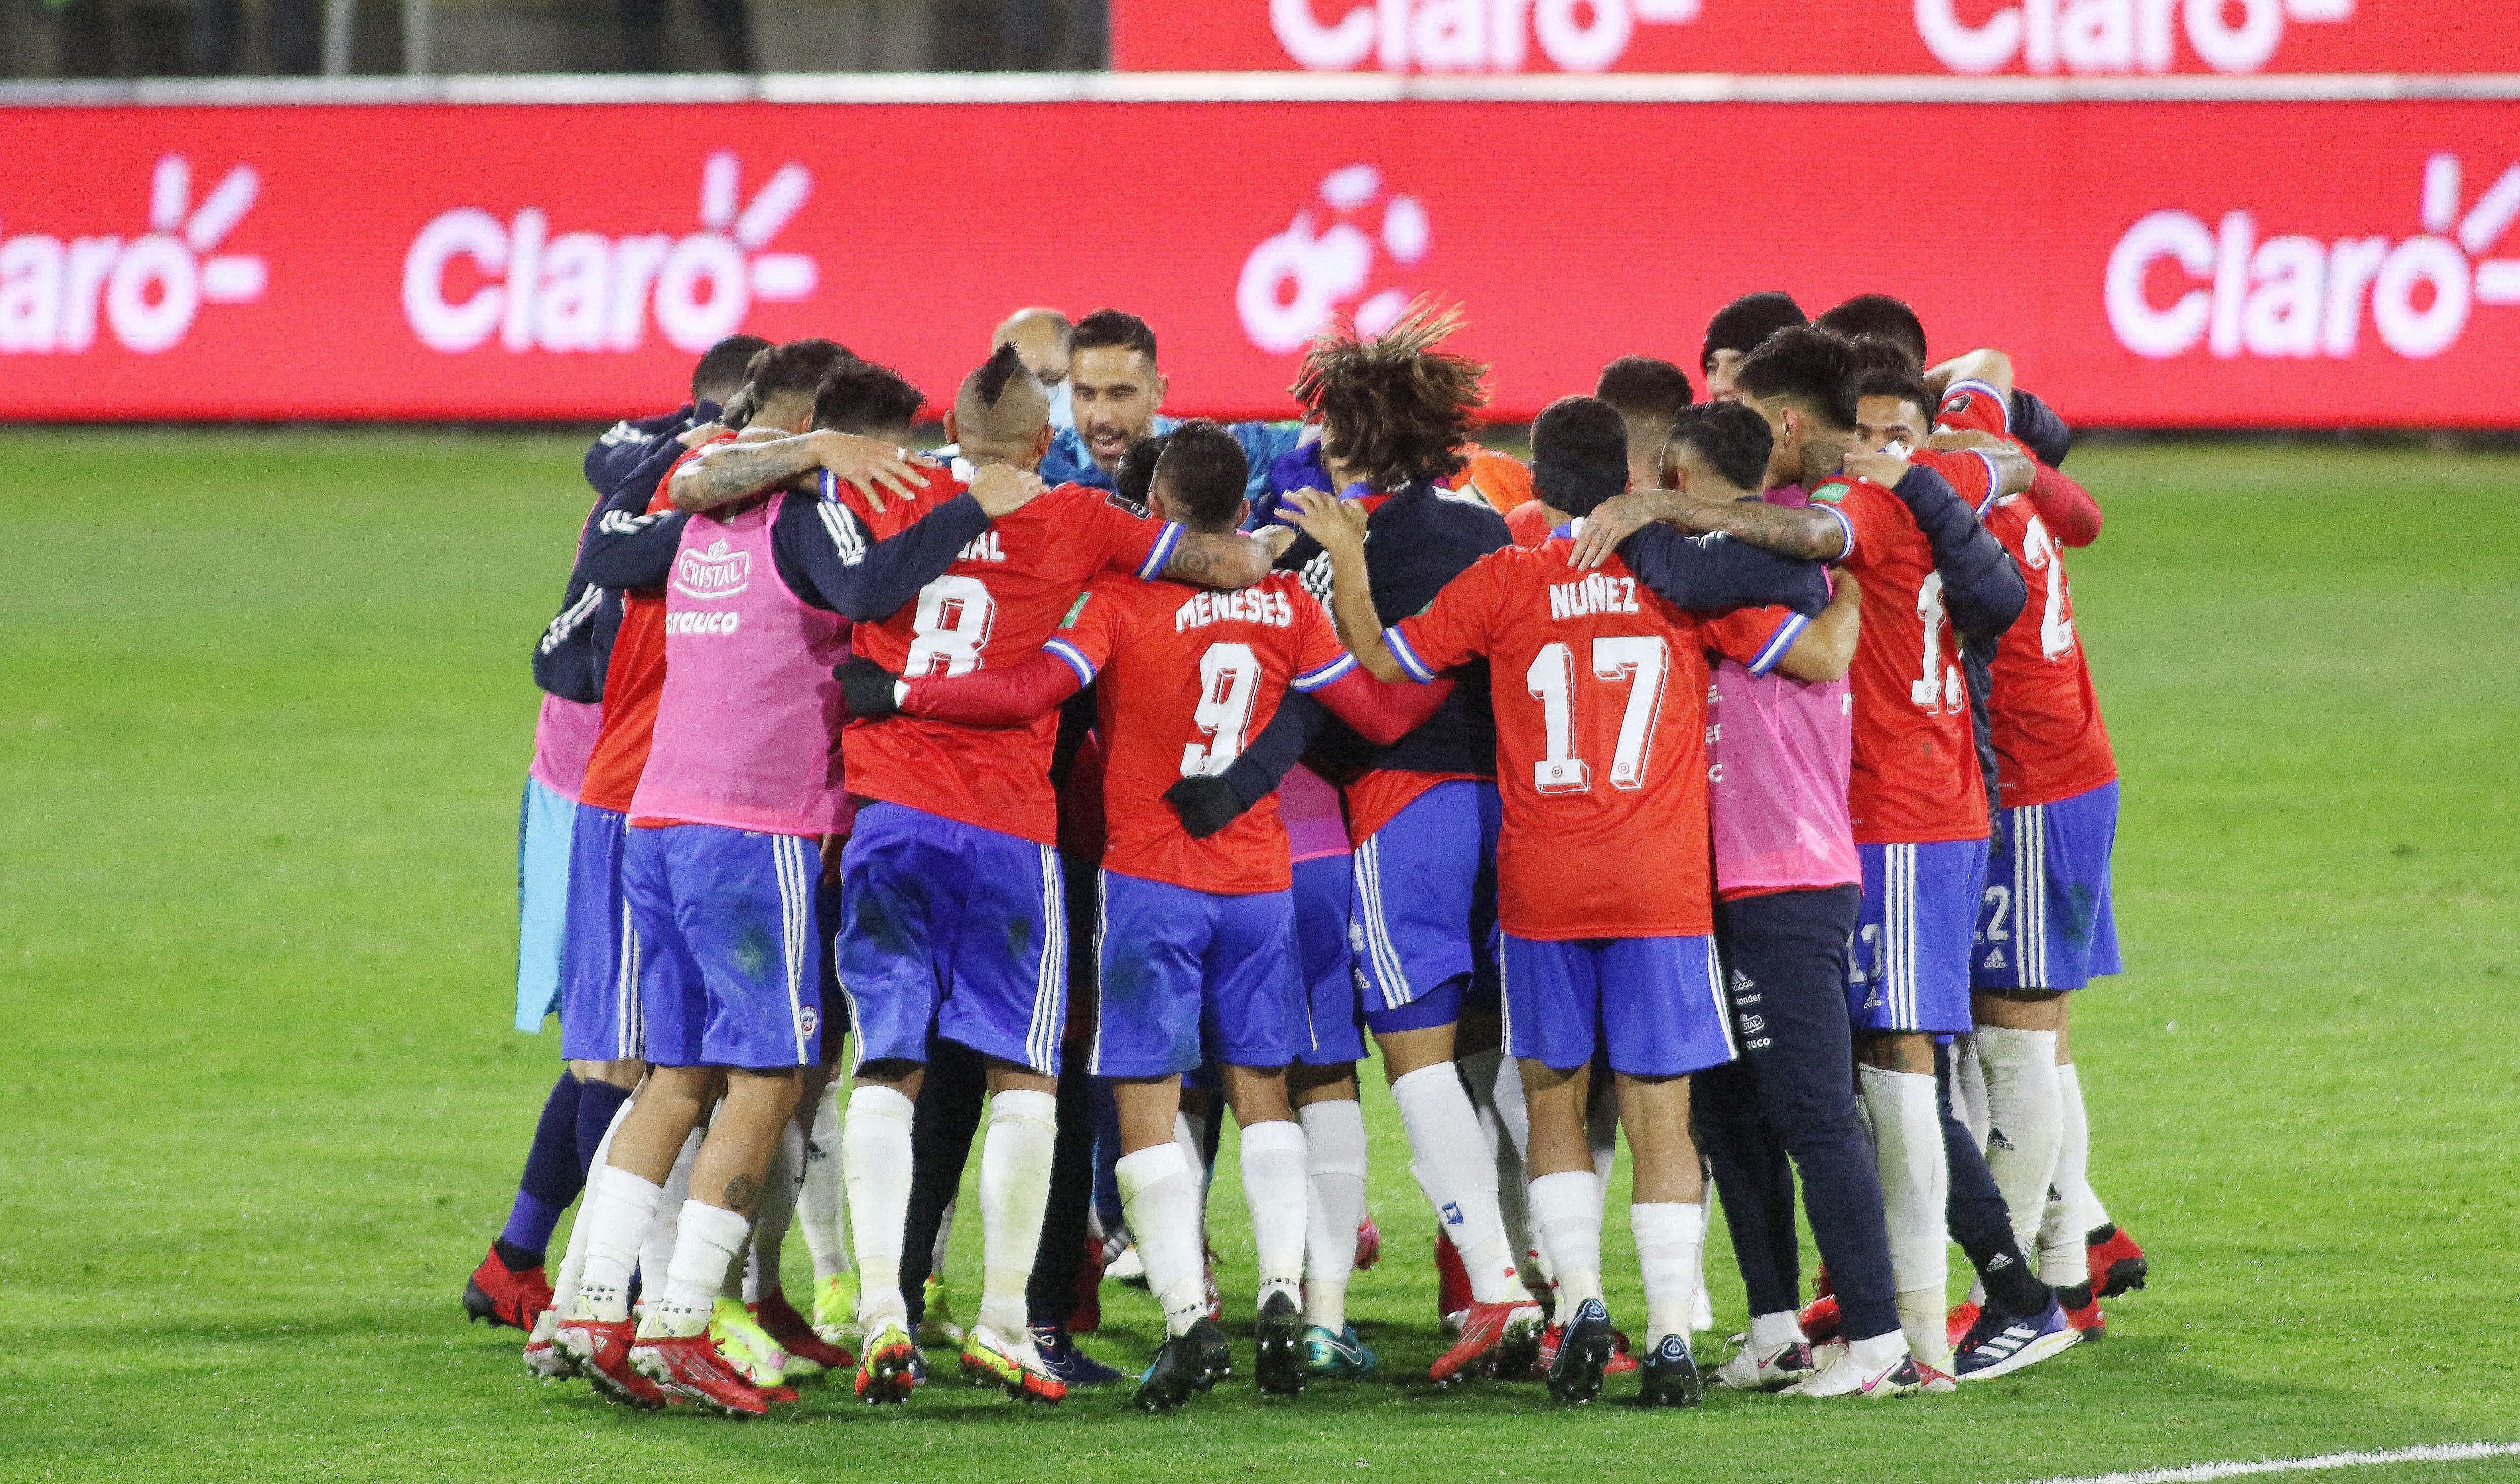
{"type": "Point", "coordinates": [994, 606]}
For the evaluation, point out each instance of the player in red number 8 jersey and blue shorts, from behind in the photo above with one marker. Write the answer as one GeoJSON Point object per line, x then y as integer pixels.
{"type": "Point", "coordinates": [951, 878]}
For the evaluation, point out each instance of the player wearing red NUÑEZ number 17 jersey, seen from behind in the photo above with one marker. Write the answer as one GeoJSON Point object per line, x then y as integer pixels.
{"type": "Point", "coordinates": [1601, 712]}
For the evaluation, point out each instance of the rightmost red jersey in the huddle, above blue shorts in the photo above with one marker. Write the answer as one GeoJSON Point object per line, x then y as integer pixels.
{"type": "Point", "coordinates": [2045, 719]}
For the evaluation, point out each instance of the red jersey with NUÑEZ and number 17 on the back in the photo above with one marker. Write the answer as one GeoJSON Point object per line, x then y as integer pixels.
{"type": "Point", "coordinates": [1601, 742]}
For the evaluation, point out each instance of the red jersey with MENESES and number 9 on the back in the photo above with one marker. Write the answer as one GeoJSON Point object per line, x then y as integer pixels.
{"type": "Point", "coordinates": [1188, 679]}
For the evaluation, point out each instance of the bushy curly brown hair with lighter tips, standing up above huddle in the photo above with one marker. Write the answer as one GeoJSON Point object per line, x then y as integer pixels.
{"type": "Point", "coordinates": [1395, 409]}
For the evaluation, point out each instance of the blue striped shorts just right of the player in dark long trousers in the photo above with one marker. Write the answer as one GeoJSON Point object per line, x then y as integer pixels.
{"type": "Point", "coordinates": [1909, 966]}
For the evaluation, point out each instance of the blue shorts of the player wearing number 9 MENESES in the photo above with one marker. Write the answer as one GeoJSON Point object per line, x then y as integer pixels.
{"type": "Point", "coordinates": [1191, 976]}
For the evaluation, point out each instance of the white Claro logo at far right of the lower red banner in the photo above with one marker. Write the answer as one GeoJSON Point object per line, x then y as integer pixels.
{"type": "Point", "coordinates": [2299, 296]}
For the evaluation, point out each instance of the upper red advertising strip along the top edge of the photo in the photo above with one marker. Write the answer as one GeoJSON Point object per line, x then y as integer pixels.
{"type": "Point", "coordinates": [1818, 37]}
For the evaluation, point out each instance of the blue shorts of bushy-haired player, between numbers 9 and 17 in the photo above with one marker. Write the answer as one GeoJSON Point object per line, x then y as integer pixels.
{"type": "Point", "coordinates": [1425, 918]}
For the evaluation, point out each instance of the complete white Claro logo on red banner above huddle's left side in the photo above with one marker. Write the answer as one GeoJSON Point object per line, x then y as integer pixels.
{"type": "Point", "coordinates": [586, 291]}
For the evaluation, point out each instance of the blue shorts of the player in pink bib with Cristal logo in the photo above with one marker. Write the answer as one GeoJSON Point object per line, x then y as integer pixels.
{"type": "Point", "coordinates": [727, 946]}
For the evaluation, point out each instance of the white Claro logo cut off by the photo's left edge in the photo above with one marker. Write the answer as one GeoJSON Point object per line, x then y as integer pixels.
{"type": "Point", "coordinates": [150, 288]}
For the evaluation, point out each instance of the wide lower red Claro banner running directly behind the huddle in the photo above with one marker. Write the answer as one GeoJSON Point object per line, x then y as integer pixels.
{"type": "Point", "coordinates": [2146, 263]}
